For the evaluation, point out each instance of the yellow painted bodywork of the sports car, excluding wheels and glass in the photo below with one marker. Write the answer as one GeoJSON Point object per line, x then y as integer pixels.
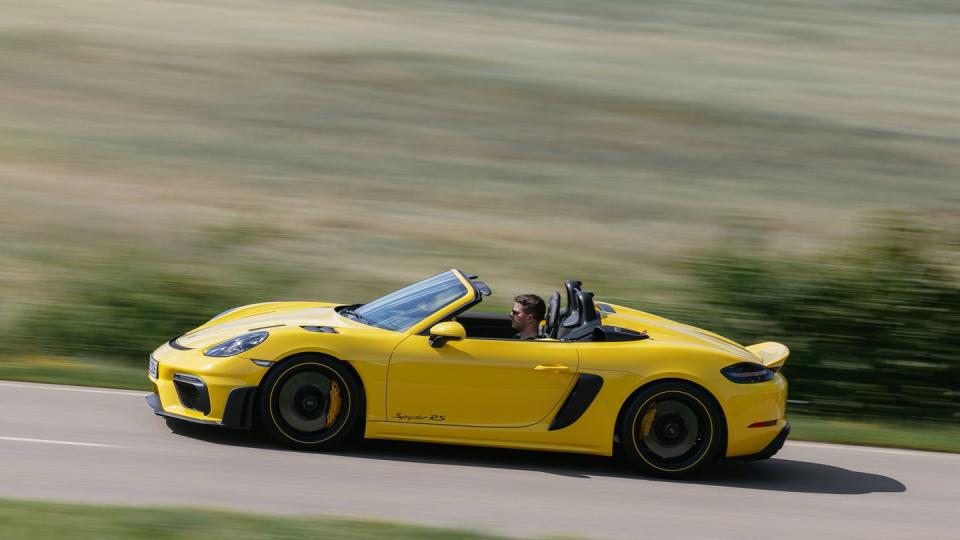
{"type": "Point", "coordinates": [483, 391]}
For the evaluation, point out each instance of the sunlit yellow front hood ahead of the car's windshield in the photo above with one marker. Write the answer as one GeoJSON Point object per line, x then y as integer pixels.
{"type": "Point", "coordinates": [277, 317]}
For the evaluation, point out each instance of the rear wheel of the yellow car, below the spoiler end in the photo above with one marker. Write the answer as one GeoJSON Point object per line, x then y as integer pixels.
{"type": "Point", "coordinates": [671, 430]}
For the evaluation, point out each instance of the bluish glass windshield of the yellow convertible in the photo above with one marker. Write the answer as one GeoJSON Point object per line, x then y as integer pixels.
{"type": "Point", "coordinates": [402, 309]}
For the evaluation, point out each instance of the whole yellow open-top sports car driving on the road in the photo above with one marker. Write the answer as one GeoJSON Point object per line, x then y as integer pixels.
{"type": "Point", "coordinates": [422, 364]}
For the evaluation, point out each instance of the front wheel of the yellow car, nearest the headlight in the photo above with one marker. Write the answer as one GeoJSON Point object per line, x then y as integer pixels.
{"type": "Point", "coordinates": [311, 403]}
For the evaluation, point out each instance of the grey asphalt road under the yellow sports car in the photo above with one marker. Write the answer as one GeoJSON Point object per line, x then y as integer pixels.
{"type": "Point", "coordinates": [87, 445]}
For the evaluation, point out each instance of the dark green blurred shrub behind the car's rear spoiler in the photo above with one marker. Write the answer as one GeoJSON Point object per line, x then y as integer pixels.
{"type": "Point", "coordinates": [873, 327]}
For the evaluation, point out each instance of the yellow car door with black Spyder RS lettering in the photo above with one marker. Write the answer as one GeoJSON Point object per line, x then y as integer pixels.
{"type": "Point", "coordinates": [478, 382]}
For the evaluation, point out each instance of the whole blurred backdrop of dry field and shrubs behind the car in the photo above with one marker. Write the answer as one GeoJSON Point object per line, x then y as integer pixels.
{"type": "Point", "coordinates": [780, 170]}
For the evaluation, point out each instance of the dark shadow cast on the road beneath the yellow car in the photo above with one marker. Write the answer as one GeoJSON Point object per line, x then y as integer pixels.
{"type": "Point", "coordinates": [773, 474]}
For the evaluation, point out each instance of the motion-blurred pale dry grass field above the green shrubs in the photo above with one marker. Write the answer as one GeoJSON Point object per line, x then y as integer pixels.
{"type": "Point", "coordinates": [370, 143]}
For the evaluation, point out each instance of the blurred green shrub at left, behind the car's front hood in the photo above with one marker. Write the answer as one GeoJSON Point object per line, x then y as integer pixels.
{"type": "Point", "coordinates": [121, 307]}
